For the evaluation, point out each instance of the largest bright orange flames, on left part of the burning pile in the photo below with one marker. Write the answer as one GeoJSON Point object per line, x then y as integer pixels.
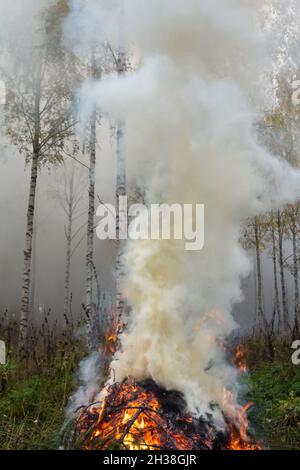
{"type": "Point", "coordinates": [131, 417]}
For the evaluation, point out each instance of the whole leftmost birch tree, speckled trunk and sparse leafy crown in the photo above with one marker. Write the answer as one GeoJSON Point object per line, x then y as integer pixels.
{"type": "Point", "coordinates": [39, 121]}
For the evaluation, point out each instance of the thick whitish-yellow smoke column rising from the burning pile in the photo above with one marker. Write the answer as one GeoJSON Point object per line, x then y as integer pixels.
{"type": "Point", "coordinates": [190, 112]}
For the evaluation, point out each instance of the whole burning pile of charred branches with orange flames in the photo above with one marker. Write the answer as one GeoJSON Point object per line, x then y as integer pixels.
{"type": "Point", "coordinates": [146, 417]}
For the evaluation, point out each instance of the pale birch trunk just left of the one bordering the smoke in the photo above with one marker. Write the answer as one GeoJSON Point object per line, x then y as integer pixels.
{"type": "Point", "coordinates": [90, 310]}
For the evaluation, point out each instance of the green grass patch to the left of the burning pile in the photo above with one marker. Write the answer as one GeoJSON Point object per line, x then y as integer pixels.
{"type": "Point", "coordinates": [32, 407]}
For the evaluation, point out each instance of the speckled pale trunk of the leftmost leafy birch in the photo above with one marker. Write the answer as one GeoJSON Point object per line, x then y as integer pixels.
{"type": "Point", "coordinates": [26, 285]}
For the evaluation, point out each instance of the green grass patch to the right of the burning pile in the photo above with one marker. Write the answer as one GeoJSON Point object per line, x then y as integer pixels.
{"type": "Point", "coordinates": [275, 389]}
